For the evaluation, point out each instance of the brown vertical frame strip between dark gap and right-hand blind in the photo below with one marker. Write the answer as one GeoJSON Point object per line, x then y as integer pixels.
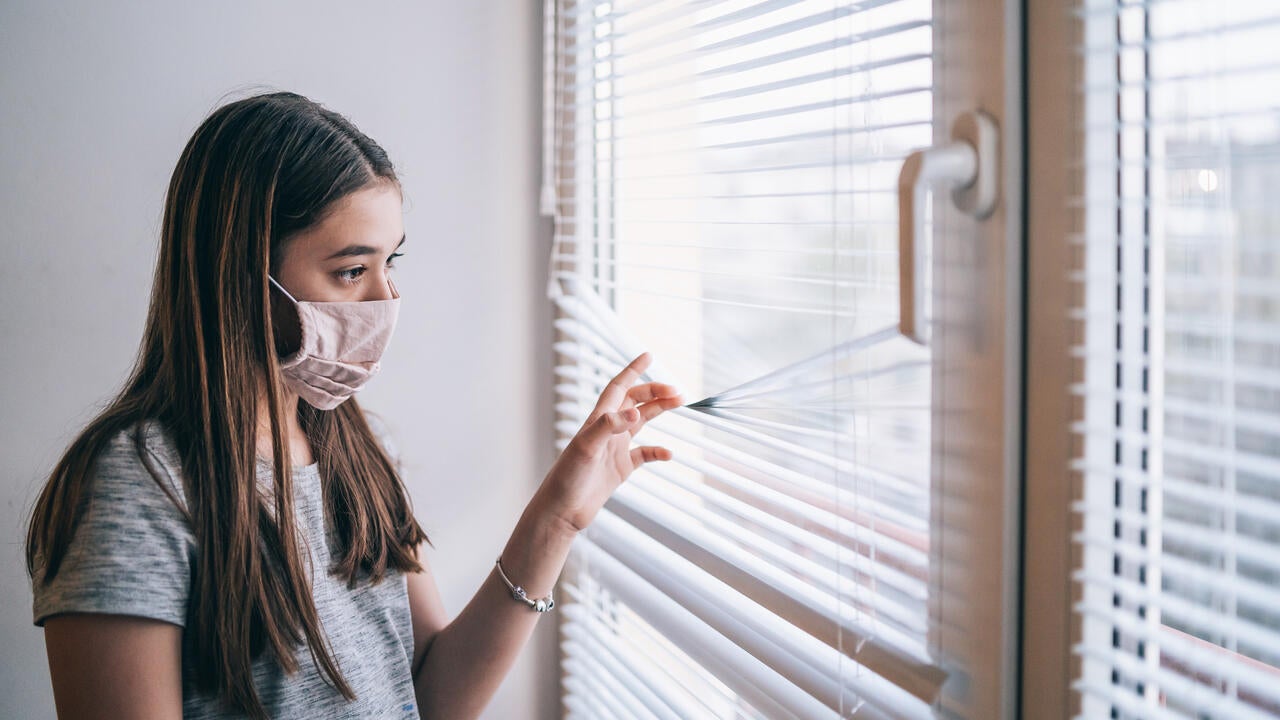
{"type": "Point", "coordinates": [1049, 485]}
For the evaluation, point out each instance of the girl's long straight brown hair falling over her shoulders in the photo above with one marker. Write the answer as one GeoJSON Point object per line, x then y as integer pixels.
{"type": "Point", "coordinates": [255, 174]}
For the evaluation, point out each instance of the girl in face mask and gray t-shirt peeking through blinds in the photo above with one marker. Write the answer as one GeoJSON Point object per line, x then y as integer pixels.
{"type": "Point", "coordinates": [231, 535]}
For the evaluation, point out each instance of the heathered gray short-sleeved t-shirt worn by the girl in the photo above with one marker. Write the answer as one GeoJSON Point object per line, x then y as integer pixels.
{"type": "Point", "coordinates": [134, 553]}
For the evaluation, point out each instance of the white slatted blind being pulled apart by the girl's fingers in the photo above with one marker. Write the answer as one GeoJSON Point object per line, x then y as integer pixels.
{"type": "Point", "coordinates": [724, 195]}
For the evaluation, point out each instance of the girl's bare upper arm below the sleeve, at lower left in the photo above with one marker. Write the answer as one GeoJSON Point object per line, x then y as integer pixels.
{"type": "Point", "coordinates": [115, 667]}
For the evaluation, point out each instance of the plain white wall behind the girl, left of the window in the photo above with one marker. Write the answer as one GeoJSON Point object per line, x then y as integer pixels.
{"type": "Point", "coordinates": [95, 107]}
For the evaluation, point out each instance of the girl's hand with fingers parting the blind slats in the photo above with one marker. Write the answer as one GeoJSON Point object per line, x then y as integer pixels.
{"type": "Point", "coordinates": [600, 458]}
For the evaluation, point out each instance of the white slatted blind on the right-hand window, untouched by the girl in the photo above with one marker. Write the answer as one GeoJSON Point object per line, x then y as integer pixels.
{"type": "Point", "coordinates": [1180, 353]}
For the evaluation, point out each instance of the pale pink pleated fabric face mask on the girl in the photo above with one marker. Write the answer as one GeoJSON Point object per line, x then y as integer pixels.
{"type": "Point", "coordinates": [341, 347]}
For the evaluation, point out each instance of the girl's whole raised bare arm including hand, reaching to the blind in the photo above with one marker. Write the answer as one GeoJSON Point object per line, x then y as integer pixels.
{"type": "Point", "coordinates": [464, 662]}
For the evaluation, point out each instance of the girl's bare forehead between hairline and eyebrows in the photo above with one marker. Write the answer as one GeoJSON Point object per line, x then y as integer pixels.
{"type": "Point", "coordinates": [372, 216]}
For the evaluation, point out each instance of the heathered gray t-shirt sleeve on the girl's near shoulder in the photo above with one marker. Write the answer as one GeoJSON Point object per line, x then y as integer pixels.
{"type": "Point", "coordinates": [132, 550]}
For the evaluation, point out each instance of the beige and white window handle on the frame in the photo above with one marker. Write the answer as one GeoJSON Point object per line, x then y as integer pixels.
{"type": "Point", "coordinates": [970, 163]}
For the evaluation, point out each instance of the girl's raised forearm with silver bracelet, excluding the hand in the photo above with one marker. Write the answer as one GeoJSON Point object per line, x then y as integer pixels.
{"type": "Point", "coordinates": [470, 657]}
